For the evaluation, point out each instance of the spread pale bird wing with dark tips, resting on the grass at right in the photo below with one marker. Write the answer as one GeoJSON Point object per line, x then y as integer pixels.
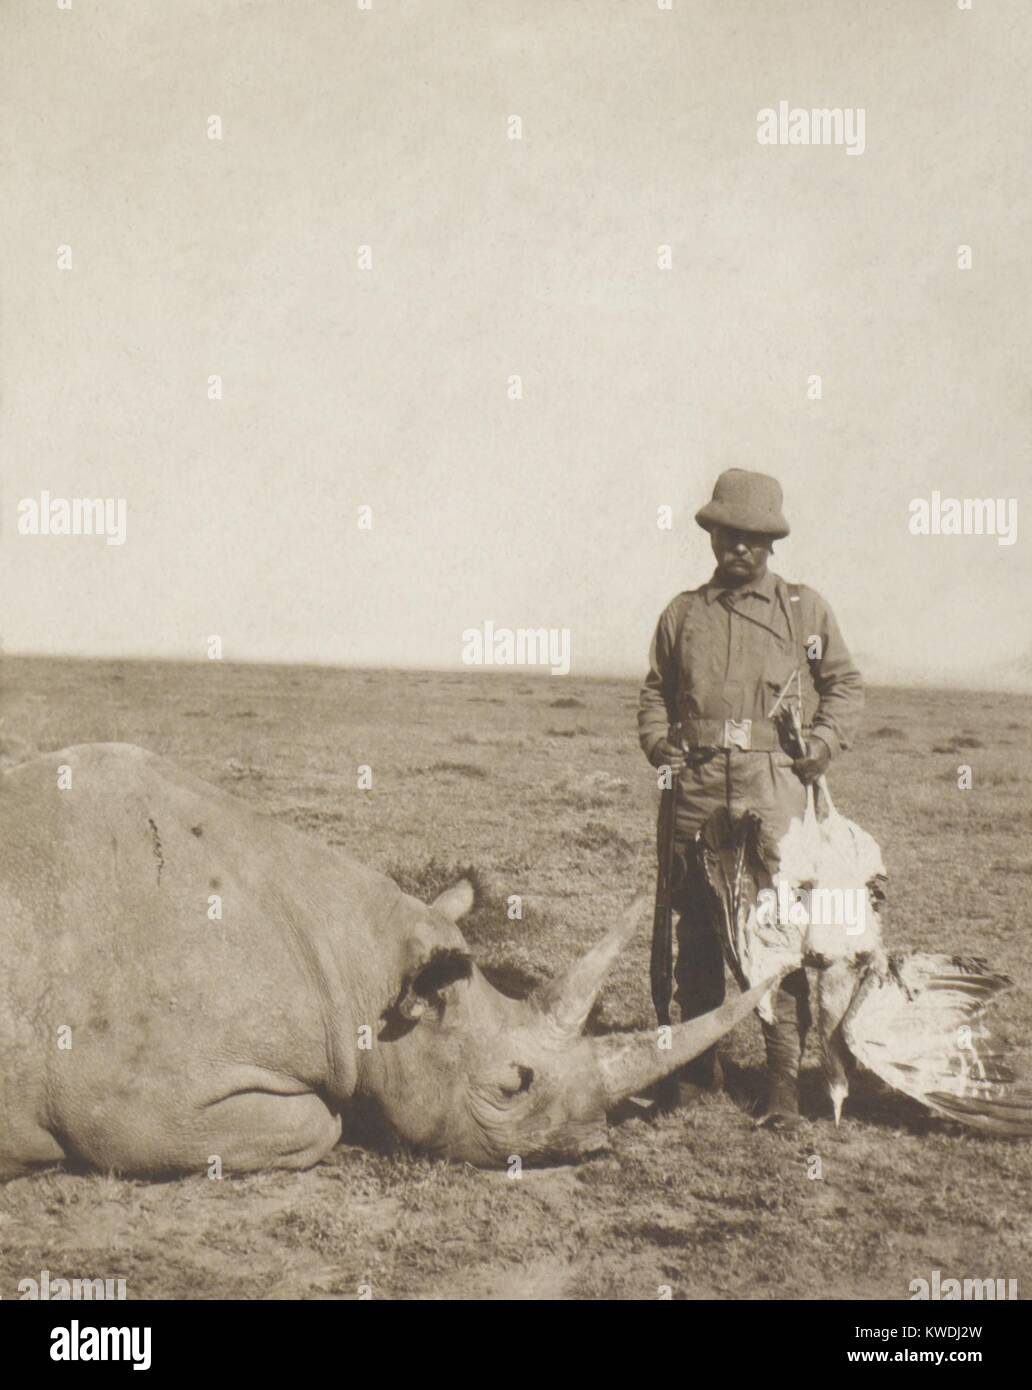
{"type": "Point", "coordinates": [919, 1027]}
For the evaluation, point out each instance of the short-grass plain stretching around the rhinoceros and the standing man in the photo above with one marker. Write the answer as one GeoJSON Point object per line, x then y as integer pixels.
{"type": "Point", "coordinates": [703, 1202]}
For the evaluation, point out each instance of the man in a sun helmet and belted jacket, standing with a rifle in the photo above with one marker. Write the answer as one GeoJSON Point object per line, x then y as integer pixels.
{"type": "Point", "coordinates": [720, 660]}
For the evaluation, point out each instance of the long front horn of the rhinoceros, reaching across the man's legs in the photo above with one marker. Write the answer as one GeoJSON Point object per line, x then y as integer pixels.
{"type": "Point", "coordinates": [632, 1063]}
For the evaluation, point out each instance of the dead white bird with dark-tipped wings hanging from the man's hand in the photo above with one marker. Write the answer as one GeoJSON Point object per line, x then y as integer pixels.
{"type": "Point", "coordinates": [914, 1021]}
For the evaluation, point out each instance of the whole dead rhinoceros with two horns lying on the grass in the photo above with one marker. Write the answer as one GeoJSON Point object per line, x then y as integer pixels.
{"type": "Point", "coordinates": [143, 1033]}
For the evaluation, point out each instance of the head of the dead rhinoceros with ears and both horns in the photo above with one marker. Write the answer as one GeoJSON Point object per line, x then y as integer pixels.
{"type": "Point", "coordinates": [479, 1077]}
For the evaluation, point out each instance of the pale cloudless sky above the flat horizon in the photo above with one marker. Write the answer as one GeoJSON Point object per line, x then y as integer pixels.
{"type": "Point", "coordinates": [387, 387]}
